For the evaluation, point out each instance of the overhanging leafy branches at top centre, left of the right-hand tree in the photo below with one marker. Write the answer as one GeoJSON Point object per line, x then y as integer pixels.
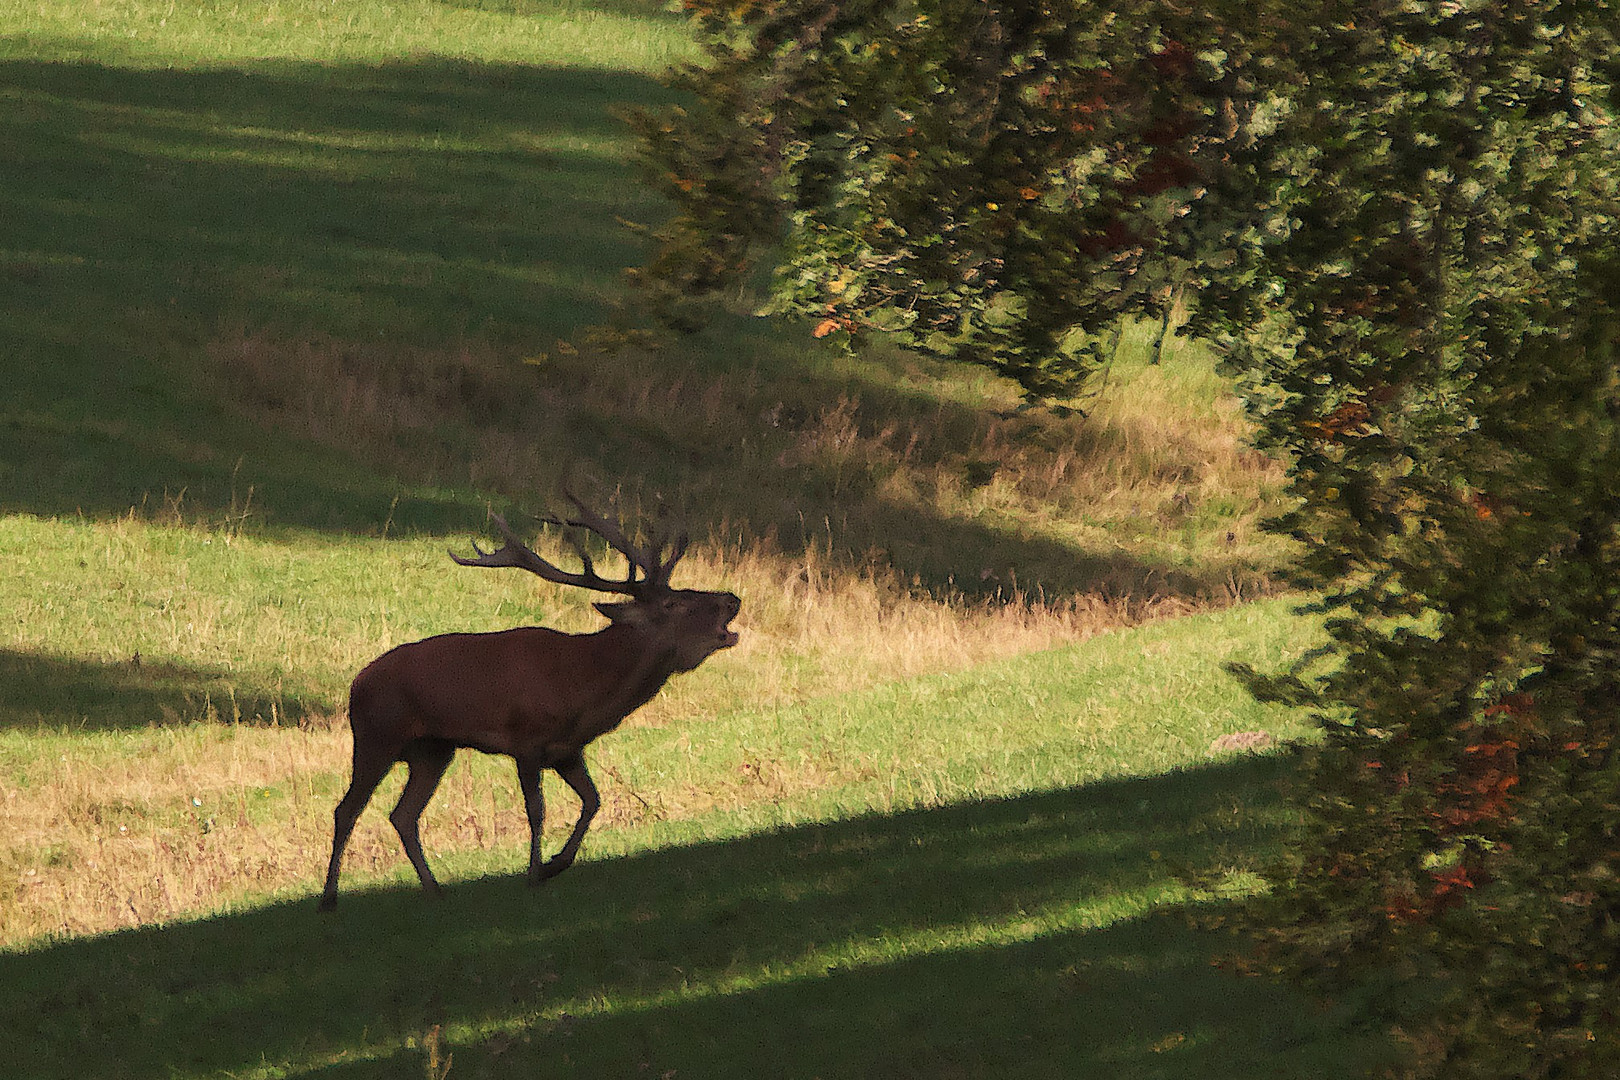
{"type": "Point", "coordinates": [911, 163]}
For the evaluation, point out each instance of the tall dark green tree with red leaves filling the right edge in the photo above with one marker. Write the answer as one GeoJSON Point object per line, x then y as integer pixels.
{"type": "Point", "coordinates": [1447, 389]}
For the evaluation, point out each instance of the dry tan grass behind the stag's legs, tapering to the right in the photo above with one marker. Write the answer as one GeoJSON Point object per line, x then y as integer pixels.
{"type": "Point", "coordinates": [179, 822]}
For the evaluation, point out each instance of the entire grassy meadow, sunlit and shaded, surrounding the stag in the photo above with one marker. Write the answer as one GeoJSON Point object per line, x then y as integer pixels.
{"type": "Point", "coordinates": [296, 292]}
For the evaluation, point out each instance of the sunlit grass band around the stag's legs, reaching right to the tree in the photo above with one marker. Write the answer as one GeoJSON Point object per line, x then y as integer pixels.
{"type": "Point", "coordinates": [720, 755]}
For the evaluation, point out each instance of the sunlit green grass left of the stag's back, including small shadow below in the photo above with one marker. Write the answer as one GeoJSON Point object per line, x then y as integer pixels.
{"type": "Point", "coordinates": [129, 626]}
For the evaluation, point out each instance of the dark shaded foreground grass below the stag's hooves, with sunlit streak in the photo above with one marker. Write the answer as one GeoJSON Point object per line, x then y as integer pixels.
{"type": "Point", "coordinates": [952, 942]}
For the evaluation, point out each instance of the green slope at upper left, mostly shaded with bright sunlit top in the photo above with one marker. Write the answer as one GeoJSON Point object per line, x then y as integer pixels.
{"type": "Point", "coordinates": [184, 176]}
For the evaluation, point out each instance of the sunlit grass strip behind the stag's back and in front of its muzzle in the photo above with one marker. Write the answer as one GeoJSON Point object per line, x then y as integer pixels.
{"type": "Point", "coordinates": [132, 602]}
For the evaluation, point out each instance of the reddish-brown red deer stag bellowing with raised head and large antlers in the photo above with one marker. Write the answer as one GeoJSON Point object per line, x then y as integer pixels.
{"type": "Point", "coordinates": [532, 694]}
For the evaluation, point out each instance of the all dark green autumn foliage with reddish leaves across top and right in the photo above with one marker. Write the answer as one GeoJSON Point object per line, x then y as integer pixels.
{"type": "Point", "coordinates": [1402, 223]}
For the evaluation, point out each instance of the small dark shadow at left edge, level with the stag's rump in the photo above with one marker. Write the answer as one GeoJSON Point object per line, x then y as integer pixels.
{"type": "Point", "coordinates": [61, 694]}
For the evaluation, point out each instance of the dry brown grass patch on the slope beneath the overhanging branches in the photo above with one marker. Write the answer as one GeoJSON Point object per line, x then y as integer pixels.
{"type": "Point", "coordinates": [1156, 493]}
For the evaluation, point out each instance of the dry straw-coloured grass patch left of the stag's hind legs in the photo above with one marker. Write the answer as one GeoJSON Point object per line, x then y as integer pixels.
{"type": "Point", "coordinates": [109, 836]}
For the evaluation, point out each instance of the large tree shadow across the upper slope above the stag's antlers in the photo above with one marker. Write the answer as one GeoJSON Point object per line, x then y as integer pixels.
{"type": "Point", "coordinates": [164, 231]}
